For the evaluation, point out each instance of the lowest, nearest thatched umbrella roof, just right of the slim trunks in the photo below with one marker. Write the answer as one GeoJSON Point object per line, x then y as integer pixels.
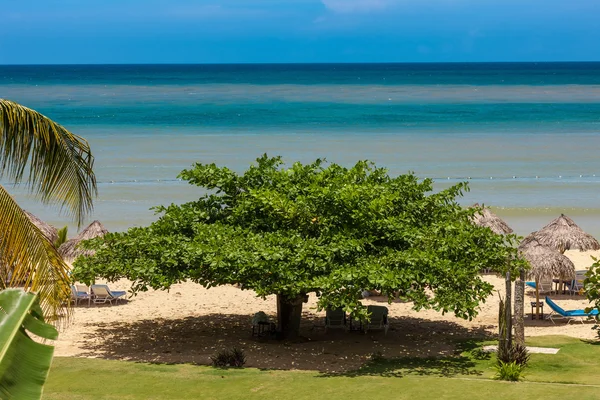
{"type": "Point", "coordinates": [546, 262]}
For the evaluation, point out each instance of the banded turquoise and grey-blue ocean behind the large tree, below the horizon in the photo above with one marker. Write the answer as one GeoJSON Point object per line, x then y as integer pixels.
{"type": "Point", "coordinates": [526, 136]}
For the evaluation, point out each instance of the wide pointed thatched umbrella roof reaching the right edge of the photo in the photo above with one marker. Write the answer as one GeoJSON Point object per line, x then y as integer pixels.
{"type": "Point", "coordinates": [563, 234]}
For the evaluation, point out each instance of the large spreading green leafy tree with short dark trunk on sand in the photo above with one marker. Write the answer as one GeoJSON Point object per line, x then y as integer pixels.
{"type": "Point", "coordinates": [309, 228]}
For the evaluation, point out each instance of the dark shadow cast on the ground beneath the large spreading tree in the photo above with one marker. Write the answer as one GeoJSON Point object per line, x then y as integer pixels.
{"type": "Point", "coordinates": [422, 345]}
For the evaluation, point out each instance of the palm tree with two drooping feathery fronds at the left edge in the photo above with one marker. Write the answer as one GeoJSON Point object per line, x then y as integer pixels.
{"type": "Point", "coordinates": [56, 166]}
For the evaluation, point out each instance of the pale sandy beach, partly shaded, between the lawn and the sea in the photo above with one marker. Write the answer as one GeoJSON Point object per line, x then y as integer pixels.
{"type": "Point", "coordinates": [189, 324]}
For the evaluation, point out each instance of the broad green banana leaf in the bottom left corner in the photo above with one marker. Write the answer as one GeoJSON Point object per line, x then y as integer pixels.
{"type": "Point", "coordinates": [24, 363]}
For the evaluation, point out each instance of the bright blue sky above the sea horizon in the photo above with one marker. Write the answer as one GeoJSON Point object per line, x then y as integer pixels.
{"type": "Point", "coordinates": [234, 31]}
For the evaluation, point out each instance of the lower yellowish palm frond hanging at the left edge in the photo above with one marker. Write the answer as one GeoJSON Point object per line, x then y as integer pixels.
{"type": "Point", "coordinates": [29, 260]}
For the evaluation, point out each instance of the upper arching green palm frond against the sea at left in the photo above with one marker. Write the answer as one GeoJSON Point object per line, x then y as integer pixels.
{"type": "Point", "coordinates": [60, 163]}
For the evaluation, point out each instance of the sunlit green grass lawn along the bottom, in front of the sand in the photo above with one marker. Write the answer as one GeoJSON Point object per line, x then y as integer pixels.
{"type": "Point", "coordinates": [573, 372]}
